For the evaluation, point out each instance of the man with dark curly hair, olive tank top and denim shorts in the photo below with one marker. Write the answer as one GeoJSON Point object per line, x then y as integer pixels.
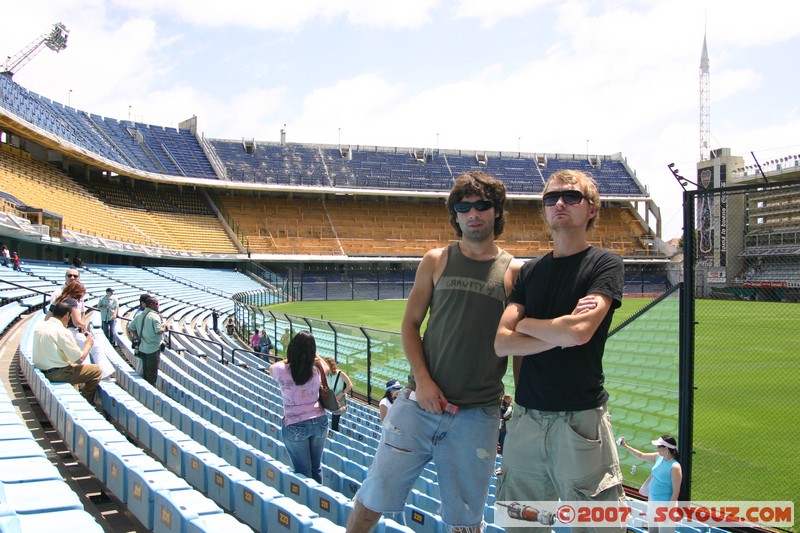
{"type": "Point", "coordinates": [450, 411]}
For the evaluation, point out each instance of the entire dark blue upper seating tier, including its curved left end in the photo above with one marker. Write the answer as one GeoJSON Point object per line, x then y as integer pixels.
{"type": "Point", "coordinates": [177, 152]}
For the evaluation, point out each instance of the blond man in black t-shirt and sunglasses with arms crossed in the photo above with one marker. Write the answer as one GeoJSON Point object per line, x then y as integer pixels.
{"type": "Point", "coordinates": [560, 443]}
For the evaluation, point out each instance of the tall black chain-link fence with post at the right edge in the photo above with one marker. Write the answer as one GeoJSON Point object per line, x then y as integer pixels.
{"type": "Point", "coordinates": [740, 402]}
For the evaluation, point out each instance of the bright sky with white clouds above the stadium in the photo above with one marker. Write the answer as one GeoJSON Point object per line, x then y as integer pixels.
{"type": "Point", "coordinates": [537, 76]}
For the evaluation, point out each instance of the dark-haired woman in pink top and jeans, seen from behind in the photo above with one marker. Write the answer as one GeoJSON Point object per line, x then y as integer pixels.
{"type": "Point", "coordinates": [305, 423]}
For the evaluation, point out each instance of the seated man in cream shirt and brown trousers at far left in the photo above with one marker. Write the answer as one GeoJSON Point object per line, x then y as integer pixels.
{"type": "Point", "coordinates": [57, 355]}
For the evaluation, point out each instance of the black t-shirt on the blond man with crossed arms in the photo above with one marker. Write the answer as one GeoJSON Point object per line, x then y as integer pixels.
{"type": "Point", "coordinates": [569, 379]}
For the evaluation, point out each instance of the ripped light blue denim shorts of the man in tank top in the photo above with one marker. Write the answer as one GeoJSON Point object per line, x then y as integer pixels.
{"type": "Point", "coordinates": [462, 446]}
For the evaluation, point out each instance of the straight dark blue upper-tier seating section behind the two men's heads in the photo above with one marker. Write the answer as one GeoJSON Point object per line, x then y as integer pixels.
{"type": "Point", "coordinates": [397, 168]}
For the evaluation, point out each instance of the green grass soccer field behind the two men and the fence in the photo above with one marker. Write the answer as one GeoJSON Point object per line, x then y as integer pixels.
{"type": "Point", "coordinates": [746, 409]}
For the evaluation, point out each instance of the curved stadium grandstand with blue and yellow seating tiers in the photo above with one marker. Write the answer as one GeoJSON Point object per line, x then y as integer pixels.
{"type": "Point", "coordinates": [233, 225]}
